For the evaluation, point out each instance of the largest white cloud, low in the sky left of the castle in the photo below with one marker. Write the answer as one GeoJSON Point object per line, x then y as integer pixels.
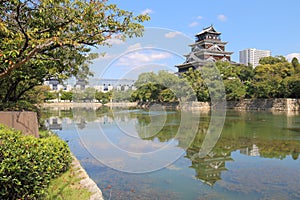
{"type": "Point", "coordinates": [142, 58]}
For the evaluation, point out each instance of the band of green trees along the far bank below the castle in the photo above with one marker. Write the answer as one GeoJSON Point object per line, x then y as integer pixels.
{"type": "Point", "coordinates": [275, 77]}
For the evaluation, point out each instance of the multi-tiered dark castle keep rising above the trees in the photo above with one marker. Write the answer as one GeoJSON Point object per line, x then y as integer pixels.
{"type": "Point", "coordinates": [208, 47]}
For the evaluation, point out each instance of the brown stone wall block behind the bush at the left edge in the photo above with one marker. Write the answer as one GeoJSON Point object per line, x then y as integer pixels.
{"type": "Point", "coordinates": [26, 122]}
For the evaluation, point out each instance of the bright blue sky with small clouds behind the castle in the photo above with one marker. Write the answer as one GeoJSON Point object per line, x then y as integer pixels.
{"type": "Point", "coordinates": [264, 24]}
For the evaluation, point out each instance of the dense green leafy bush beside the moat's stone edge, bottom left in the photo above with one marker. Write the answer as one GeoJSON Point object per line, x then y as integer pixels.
{"type": "Point", "coordinates": [28, 164]}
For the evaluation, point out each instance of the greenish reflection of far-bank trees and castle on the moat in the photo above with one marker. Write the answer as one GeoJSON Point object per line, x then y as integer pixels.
{"type": "Point", "coordinates": [245, 132]}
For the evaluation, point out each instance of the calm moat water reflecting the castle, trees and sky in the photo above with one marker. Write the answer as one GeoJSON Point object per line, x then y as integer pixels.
{"type": "Point", "coordinates": [256, 156]}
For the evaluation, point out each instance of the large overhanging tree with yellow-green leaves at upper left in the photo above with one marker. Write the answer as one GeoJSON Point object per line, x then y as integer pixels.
{"type": "Point", "coordinates": [45, 39]}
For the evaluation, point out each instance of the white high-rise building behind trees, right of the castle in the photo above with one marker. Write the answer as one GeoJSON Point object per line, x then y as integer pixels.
{"type": "Point", "coordinates": [252, 56]}
